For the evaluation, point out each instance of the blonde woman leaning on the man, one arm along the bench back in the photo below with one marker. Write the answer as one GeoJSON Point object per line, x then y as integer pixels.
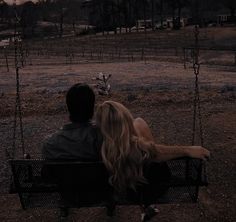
{"type": "Point", "coordinates": [128, 144]}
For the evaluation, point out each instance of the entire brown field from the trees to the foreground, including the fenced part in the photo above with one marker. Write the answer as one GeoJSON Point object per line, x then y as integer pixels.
{"type": "Point", "coordinates": [149, 77]}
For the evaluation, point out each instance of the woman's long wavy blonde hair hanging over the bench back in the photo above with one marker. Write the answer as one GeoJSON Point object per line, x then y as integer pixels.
{"type": "Point", "coordinates": [121, 152]}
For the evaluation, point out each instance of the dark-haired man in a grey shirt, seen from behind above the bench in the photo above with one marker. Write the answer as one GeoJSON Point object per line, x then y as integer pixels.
{"type": "Point", "coordinates": [80, 139]}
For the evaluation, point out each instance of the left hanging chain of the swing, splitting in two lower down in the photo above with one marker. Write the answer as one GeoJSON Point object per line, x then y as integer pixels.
{"type": "Point", "coordinates": [18, 108]}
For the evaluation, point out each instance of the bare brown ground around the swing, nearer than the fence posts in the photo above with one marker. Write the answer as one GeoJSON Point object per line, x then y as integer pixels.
{"type": "Point", "coordinates": [161, 93]}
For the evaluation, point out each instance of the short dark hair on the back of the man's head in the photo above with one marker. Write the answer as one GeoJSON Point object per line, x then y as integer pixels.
{"type": "Point", "coordinates": [80, 101]}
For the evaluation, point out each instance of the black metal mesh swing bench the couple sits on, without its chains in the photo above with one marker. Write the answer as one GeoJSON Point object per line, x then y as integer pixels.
{"type": "Point", "coordinates": [75, 184]}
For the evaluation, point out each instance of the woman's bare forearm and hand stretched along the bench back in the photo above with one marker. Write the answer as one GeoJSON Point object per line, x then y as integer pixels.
{"type": "Point", "coordinates": [162, 153]}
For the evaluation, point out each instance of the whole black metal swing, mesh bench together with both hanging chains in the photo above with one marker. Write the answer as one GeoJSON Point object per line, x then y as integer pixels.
{"type": "Point", "coordinates": [85, 184]}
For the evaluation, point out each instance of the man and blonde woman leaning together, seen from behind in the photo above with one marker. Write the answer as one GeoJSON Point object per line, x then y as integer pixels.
{"type": "Point", "coordinates": [123, 143]}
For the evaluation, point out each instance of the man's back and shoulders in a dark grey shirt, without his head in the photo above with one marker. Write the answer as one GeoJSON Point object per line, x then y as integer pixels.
{"type": "Point", "coordinates": [74, 141]}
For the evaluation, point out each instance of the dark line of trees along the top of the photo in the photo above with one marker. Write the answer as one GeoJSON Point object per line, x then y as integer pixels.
{"type": "Point", "coordinates": [110, 14]}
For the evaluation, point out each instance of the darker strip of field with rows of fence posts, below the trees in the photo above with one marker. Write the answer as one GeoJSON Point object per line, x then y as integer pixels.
{"type": "Point", "coordinates": [129, 47]}
